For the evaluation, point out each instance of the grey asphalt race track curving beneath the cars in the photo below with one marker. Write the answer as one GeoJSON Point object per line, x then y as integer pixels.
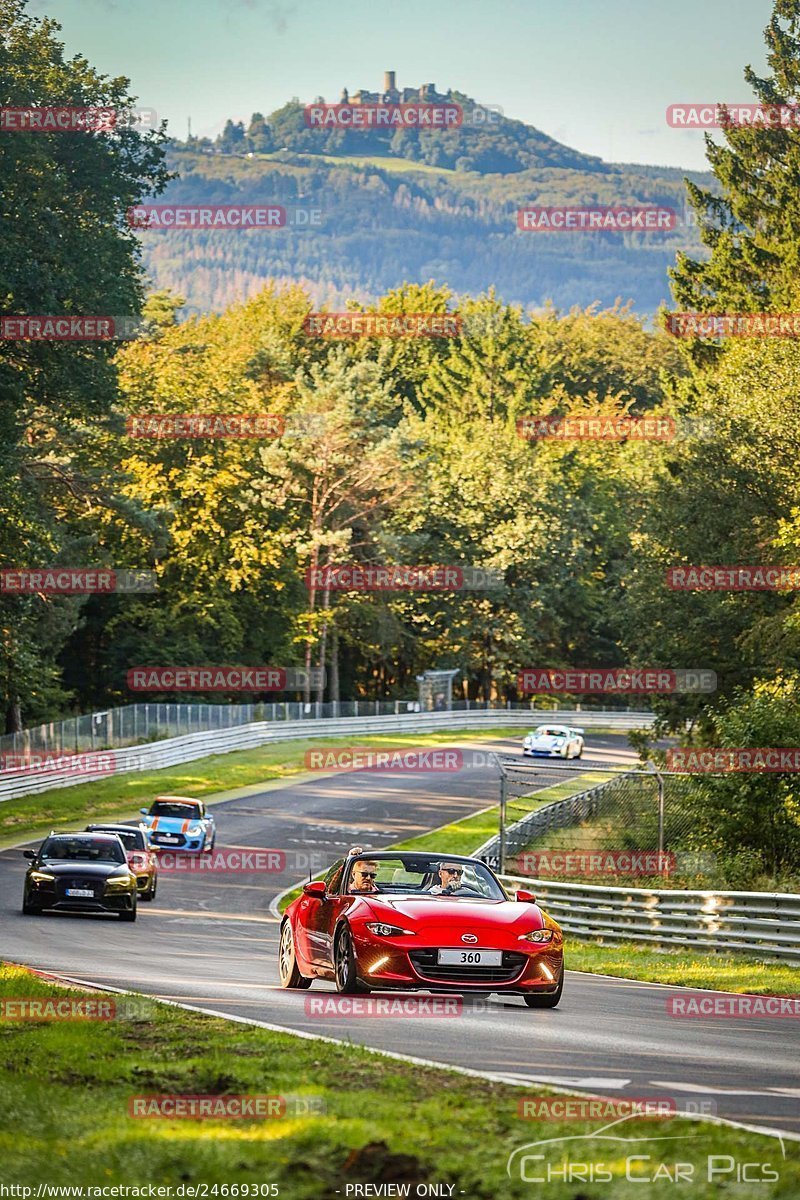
{"type": "Point", "coordinates": [212, 941]}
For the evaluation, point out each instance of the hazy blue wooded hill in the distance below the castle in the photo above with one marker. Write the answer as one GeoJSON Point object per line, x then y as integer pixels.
{"type": "Point", "coordinates": [412, 206]}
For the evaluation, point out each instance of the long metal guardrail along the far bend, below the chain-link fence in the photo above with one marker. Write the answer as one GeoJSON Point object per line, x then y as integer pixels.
{"type": "Point", "coordinates": [173, 752]}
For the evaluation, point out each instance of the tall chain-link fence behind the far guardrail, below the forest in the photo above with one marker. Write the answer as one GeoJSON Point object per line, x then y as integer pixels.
{"type": "Point", "coordinates": [136, 724]}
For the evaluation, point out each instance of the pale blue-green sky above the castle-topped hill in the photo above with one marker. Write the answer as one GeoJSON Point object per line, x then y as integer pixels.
{"type": "Point", "coordinates": [598, 75]}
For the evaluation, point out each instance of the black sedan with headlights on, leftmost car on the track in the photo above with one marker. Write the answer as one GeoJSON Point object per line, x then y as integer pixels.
{"type": "Point", "coordinates": [81, 873]}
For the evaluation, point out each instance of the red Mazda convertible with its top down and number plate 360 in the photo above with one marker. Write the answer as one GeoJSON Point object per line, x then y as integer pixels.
{"type": "Point", "coordinates": [425, 922]}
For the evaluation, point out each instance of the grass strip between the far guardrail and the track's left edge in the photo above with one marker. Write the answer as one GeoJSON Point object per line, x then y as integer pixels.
{"type": "Point", "coordinates": [124, 795]}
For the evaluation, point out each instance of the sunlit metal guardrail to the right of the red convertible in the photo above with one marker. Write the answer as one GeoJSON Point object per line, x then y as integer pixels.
{"type": "Point", "coordinates": [761, 923]}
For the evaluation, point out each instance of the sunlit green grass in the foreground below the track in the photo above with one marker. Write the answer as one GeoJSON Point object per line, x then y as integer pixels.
{"type": "Point", "coordinates": [68, 1087]}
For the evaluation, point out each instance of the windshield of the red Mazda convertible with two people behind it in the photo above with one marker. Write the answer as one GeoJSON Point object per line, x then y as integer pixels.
{"type": "Point", "coordinates": [426, 878]}
